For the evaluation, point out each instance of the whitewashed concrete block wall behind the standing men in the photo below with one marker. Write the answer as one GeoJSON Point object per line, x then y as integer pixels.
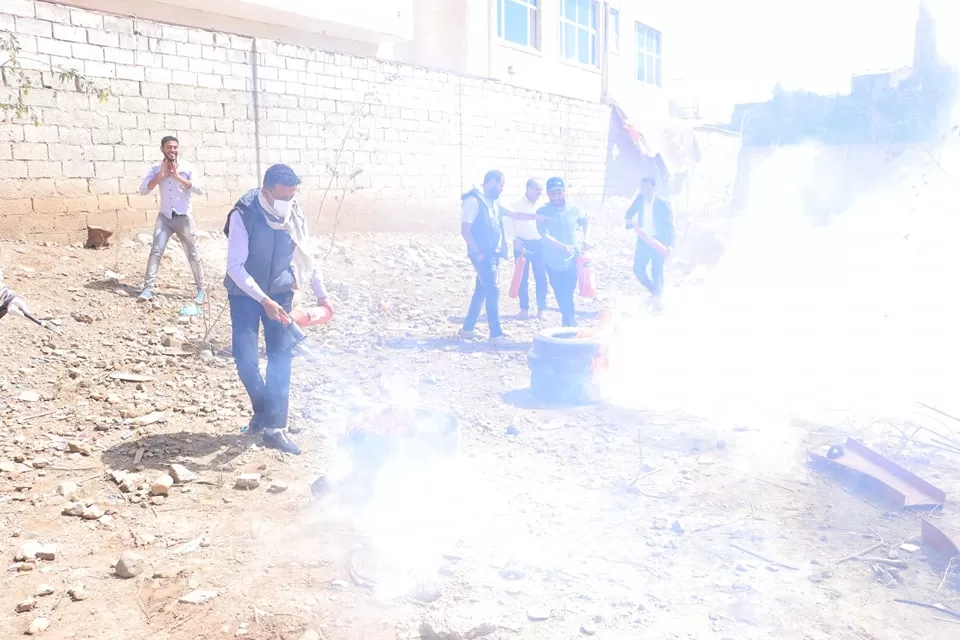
{"type": "Point", "coordinates": [420, 139]}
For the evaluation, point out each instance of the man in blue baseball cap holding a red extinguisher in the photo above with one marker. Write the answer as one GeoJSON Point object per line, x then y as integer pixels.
{"type": "Point", "coordinates": [564, 232]}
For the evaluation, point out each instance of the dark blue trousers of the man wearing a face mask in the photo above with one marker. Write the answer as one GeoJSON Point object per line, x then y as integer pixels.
{"type": "Point", "coordinates": [270, 398]}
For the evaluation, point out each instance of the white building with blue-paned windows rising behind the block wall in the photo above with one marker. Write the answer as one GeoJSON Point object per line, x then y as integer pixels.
{"type": "Point", "coordinates": [588, 49]}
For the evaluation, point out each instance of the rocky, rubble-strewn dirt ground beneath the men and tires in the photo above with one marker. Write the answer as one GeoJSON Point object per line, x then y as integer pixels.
{"type": "Point", "coordinates": [554, 523]}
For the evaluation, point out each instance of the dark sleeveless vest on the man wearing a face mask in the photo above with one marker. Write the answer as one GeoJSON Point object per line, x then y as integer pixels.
{"type": "Point", "coordinates": [270, 258]}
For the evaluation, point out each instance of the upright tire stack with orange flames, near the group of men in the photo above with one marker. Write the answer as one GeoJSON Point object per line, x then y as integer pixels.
{"type": "Point", "coordinates": [564, 363]}
